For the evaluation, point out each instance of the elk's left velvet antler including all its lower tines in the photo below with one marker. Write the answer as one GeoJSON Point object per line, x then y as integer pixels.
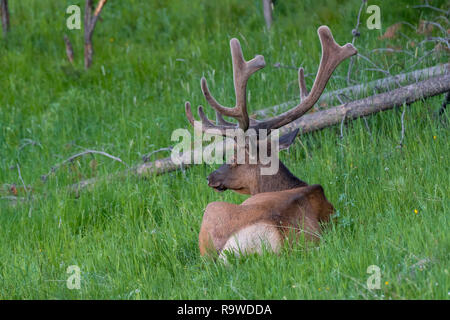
{"type": "Point", "coordinates": [242, 70]}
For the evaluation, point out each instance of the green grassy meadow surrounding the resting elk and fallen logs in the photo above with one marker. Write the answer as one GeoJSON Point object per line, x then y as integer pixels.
{"type": "Point", "coordinates": [137, 238]}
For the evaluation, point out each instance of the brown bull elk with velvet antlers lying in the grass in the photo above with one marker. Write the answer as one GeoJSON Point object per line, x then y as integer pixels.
{"type": "Point", "coordinates": [281, 204]}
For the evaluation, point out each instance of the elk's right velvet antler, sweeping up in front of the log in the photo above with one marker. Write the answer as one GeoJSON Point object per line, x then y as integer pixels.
{"type": "Point", "coordinates": [332, 55]}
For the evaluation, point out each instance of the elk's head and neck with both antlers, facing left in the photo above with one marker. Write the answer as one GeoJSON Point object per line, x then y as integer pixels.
{"type": "Point", "coordinates": [245, 177]}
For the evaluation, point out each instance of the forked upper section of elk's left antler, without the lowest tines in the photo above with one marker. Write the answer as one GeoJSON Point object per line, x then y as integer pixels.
{"type": "Point", "coordinates": [242, 70]}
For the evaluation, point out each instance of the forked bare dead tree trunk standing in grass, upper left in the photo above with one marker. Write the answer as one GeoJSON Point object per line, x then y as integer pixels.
{"type": "Point", "coordinates": [90, 20]}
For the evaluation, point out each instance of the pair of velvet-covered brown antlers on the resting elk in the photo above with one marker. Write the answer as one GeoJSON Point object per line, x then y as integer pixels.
{"type": "Point", "coordinates": [332, 55]}
